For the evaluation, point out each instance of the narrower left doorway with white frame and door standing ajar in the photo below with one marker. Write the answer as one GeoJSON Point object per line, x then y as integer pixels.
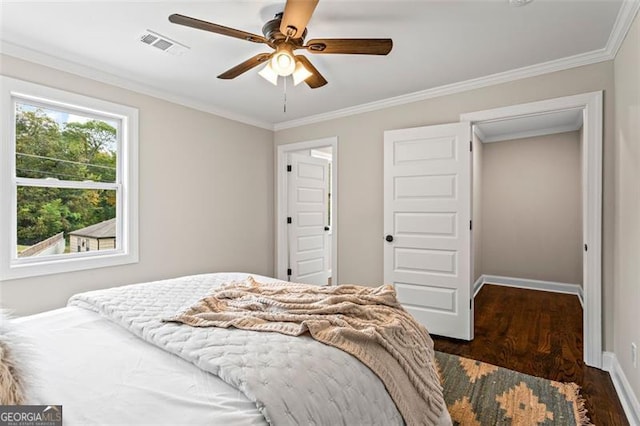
{"type": "Point", "coordinates": [306, 218]}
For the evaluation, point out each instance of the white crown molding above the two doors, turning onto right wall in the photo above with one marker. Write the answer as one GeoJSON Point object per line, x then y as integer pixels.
{"type": "Point", "coordinates": [624, 20]}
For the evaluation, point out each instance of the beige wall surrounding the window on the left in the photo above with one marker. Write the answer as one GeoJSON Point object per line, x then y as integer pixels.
{"type": "Point", "coordinates": [192, 219]}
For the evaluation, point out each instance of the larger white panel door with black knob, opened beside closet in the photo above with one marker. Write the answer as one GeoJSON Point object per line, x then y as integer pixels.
{"type": "Point", "coordinates": [427, 213]}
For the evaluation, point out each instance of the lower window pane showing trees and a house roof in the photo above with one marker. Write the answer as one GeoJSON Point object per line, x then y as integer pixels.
{"type": "Point", "coordinates": [60, 220]}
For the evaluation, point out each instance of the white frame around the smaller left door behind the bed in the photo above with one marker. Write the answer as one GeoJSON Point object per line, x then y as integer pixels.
{"type": "Point", "coordinates": [281, 212]}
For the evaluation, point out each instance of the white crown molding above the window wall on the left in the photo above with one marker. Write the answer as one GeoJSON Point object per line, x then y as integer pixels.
{"type": "Point", "coordinates": [74, 66]}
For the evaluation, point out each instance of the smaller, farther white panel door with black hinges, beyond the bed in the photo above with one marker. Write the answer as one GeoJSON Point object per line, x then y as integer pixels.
{"type": "Point", "coordinates": [308, 205]}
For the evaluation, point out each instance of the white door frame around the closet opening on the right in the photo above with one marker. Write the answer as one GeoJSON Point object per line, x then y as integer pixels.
{"type": "Point", "coordinates": [592, 109]}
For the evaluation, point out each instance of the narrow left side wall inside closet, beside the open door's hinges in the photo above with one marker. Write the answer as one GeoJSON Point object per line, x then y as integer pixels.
{"type": "Point", "coordinates": [476, 205]}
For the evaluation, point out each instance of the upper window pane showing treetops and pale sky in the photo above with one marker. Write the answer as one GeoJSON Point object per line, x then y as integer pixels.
{"type": "Point", "coordinates": [57, 144]}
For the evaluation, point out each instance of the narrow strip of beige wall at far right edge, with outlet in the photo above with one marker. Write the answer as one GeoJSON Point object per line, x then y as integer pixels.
{"type": "Point", "coordinates": [627, 204]}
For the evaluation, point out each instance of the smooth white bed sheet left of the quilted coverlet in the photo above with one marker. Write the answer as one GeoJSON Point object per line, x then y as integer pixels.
{"type": "Point", "coordinates": [115, 378]}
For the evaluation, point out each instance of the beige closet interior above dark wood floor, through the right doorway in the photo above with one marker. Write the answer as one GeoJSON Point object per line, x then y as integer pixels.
{"type": "Point", "coordinates": [527, 202]}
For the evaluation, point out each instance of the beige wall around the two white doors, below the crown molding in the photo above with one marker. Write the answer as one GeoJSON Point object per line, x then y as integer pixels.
{"type": "Point", "coordinates": [360, 142]}
